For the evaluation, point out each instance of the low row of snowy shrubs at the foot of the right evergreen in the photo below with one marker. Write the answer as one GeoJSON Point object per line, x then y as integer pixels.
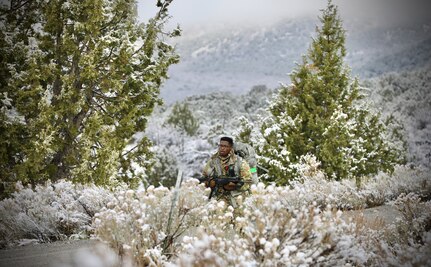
{"type": "Point", "coordinates": [345, 194]}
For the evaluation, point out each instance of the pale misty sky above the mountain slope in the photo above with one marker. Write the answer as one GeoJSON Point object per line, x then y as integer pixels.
{"type": "Point", "coordinates": [194, 13]}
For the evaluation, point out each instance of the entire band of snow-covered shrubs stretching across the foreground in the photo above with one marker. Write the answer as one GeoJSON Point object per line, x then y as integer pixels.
{"type": "Point", "coordinates": [262, 232]}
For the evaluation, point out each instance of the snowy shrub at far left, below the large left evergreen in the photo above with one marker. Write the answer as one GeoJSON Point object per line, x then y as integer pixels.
{"type": "Point", "coordinates": [50, 212]}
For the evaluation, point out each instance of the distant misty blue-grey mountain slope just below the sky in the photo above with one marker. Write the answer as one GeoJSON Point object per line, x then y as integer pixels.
{"type": "Point", "coordinates": [235, 60]}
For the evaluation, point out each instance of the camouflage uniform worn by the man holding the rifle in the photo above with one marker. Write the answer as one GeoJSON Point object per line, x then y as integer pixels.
{"type": "Point", "coordinates": [218, 166]}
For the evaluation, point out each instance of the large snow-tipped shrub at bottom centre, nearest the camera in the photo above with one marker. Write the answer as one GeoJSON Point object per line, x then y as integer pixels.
{"type": "Point", "coordinates": [266, 233]}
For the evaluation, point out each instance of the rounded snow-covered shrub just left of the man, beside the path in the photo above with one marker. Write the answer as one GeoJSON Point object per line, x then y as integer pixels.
{"type": "Point", "coordinates": [135, 222]}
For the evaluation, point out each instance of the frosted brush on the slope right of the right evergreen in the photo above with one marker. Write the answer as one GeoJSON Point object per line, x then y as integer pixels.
{"type": "Point", "coordinates": [405, 97]}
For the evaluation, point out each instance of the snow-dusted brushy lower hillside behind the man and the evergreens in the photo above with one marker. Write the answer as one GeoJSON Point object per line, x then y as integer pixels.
{"type": "Point", "coordinates": [405, 95]}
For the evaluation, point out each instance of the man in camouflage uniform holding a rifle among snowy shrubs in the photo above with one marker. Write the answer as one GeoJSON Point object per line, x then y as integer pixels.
{"type": "Point", "coordinates": [225, 164]}
